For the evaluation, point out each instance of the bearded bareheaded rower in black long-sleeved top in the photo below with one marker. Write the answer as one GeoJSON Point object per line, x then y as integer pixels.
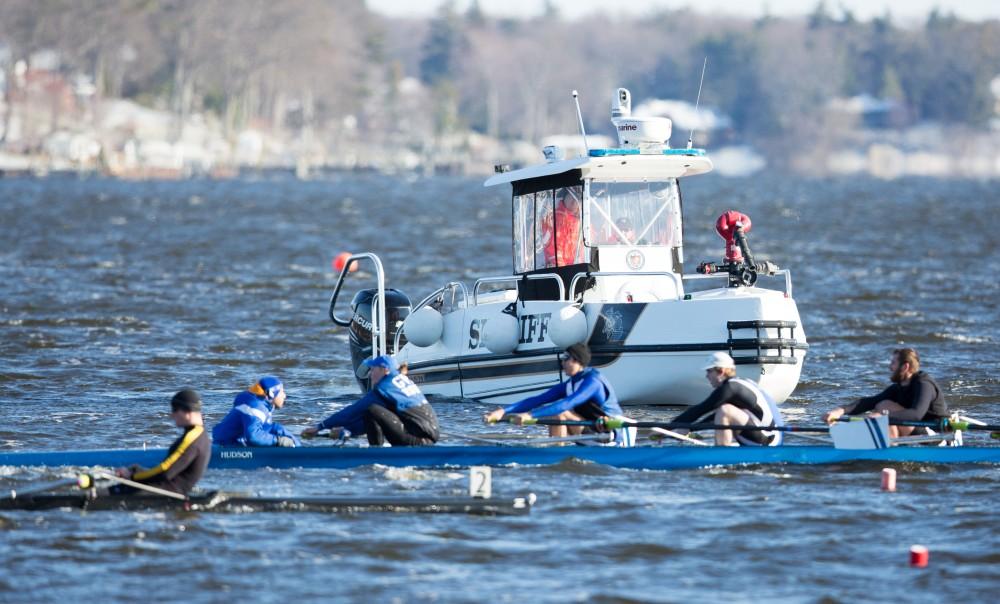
{"type": "Point", "coordinates": [912, 396]}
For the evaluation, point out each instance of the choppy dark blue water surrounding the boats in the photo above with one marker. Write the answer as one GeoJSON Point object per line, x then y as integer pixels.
{"type": "Point", "coordinates": [117, 294]}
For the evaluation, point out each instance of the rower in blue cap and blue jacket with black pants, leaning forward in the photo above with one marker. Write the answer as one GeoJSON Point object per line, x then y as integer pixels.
{"type": "Point", "coordinates": [394, 409]}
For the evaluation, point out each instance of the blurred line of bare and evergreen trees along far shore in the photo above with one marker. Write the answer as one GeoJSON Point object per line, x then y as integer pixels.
{"type": "Point", "coordinates": [309, 63]}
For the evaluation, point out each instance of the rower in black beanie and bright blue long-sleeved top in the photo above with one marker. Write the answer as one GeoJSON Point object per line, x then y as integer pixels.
{"type": "Point", "coordinates": [585, 396]}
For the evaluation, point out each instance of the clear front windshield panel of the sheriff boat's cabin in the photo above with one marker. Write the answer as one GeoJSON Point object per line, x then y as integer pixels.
{"type": "Point", "coordinates": [632, 214]}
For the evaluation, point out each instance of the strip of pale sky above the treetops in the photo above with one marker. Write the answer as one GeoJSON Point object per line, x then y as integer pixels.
{"type": "Point", "coordinates": [902, 10]}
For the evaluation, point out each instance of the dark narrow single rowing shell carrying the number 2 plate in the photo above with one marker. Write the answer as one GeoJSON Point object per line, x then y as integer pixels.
{"type": "Point", "coordinates": [231, 502]}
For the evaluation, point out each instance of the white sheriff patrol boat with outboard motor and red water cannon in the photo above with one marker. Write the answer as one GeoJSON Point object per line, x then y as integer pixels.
{"type": "Point", "coordinates": [598, 257]}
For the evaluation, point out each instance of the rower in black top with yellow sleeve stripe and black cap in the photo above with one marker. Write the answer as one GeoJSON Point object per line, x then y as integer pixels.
{"type": "Point", "coordinates": [187, 457]}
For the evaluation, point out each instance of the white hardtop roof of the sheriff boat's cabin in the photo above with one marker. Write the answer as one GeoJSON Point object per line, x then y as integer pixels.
{"type": "Point", "coordinates": [617, 165]}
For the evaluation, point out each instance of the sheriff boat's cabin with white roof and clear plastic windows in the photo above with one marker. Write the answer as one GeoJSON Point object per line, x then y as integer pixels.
{"type": "Point", "coordinates": [610, 212]}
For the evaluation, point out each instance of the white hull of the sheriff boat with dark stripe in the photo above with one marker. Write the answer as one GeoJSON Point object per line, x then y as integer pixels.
{"type": "Point", "coordinates": [652, 353]}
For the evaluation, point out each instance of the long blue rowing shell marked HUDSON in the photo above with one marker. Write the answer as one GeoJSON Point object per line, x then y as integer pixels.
{"type": "Point", "coordinates": [643, 458]}
